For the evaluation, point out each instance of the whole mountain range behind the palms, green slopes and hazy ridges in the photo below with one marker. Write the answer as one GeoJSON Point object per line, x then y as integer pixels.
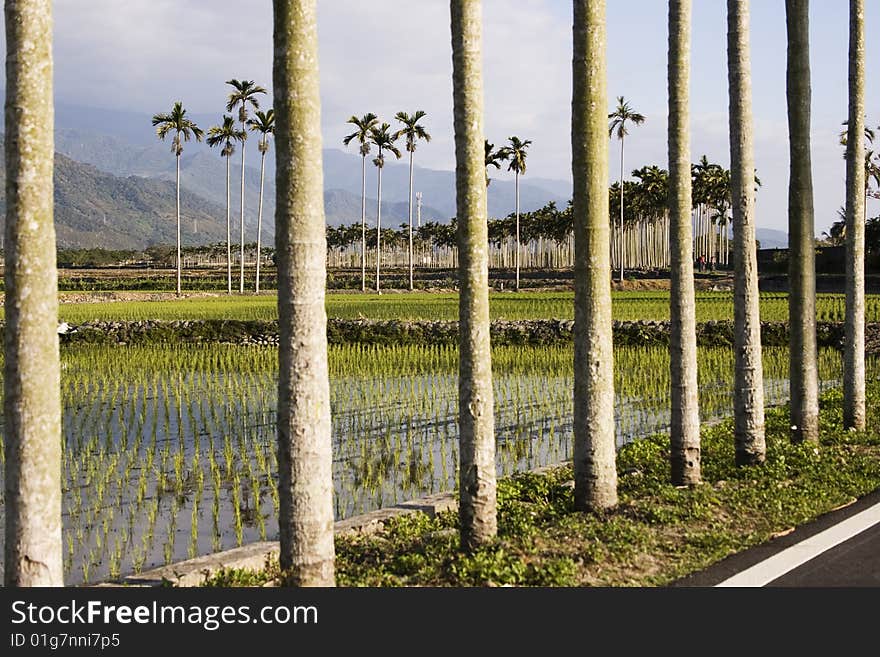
{"type": "Point", "coordinates": [114, 187]}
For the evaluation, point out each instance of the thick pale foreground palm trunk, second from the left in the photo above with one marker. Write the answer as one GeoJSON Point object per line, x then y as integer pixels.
{"type": "Point", "coordinates": [305, 459]}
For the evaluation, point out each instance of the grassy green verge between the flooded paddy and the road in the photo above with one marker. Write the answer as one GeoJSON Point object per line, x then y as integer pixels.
{"type": "Point", "coordinates": [657, 534]}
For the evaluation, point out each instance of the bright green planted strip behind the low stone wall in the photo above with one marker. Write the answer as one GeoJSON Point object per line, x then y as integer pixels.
{"type": "Point", "coordinates": [427, 306]}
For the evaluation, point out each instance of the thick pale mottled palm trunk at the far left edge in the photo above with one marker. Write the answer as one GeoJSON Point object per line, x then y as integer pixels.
{"type": "Point", "coordinates": [31, 404]}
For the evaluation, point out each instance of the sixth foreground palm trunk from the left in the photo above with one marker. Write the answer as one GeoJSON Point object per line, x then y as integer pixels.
{"type": "Point", "coordinates": [749, 375]}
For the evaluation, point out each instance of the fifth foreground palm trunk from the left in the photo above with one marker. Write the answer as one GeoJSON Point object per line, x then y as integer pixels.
{"type": "Point", "coordinates": [685, 420]}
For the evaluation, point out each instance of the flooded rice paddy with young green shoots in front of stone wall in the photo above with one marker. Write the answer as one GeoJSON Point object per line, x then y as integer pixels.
{"type": "Point", "coordinates": [169, 450]}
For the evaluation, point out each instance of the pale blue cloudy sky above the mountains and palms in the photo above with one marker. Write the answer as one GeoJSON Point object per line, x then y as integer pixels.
{"type": "Point", "coordinates": [384, 56]}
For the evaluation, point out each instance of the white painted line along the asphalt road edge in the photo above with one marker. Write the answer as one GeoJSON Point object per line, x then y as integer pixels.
{"type": "Point", "coordinates": [776, 566]}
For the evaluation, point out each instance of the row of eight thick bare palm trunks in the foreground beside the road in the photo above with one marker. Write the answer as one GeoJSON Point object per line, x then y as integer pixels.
{"type": "Point", "coordinates": [32, 401]}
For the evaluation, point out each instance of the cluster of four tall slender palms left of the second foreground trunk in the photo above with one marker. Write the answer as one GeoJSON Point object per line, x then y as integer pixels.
{"type": "Point", "coordinates": [226, 135]}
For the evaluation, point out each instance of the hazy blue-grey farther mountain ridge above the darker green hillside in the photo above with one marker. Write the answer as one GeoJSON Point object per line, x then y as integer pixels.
{"type": "Point", "coordinates": [124, 143]}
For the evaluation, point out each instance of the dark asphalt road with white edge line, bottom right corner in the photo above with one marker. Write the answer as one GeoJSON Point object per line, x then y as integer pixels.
{"type": "Point", "coordinates": [839, 549]}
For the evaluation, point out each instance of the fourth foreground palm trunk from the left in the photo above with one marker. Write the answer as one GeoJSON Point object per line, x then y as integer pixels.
{"type": "Point", "coordinates": [595, 470]}
